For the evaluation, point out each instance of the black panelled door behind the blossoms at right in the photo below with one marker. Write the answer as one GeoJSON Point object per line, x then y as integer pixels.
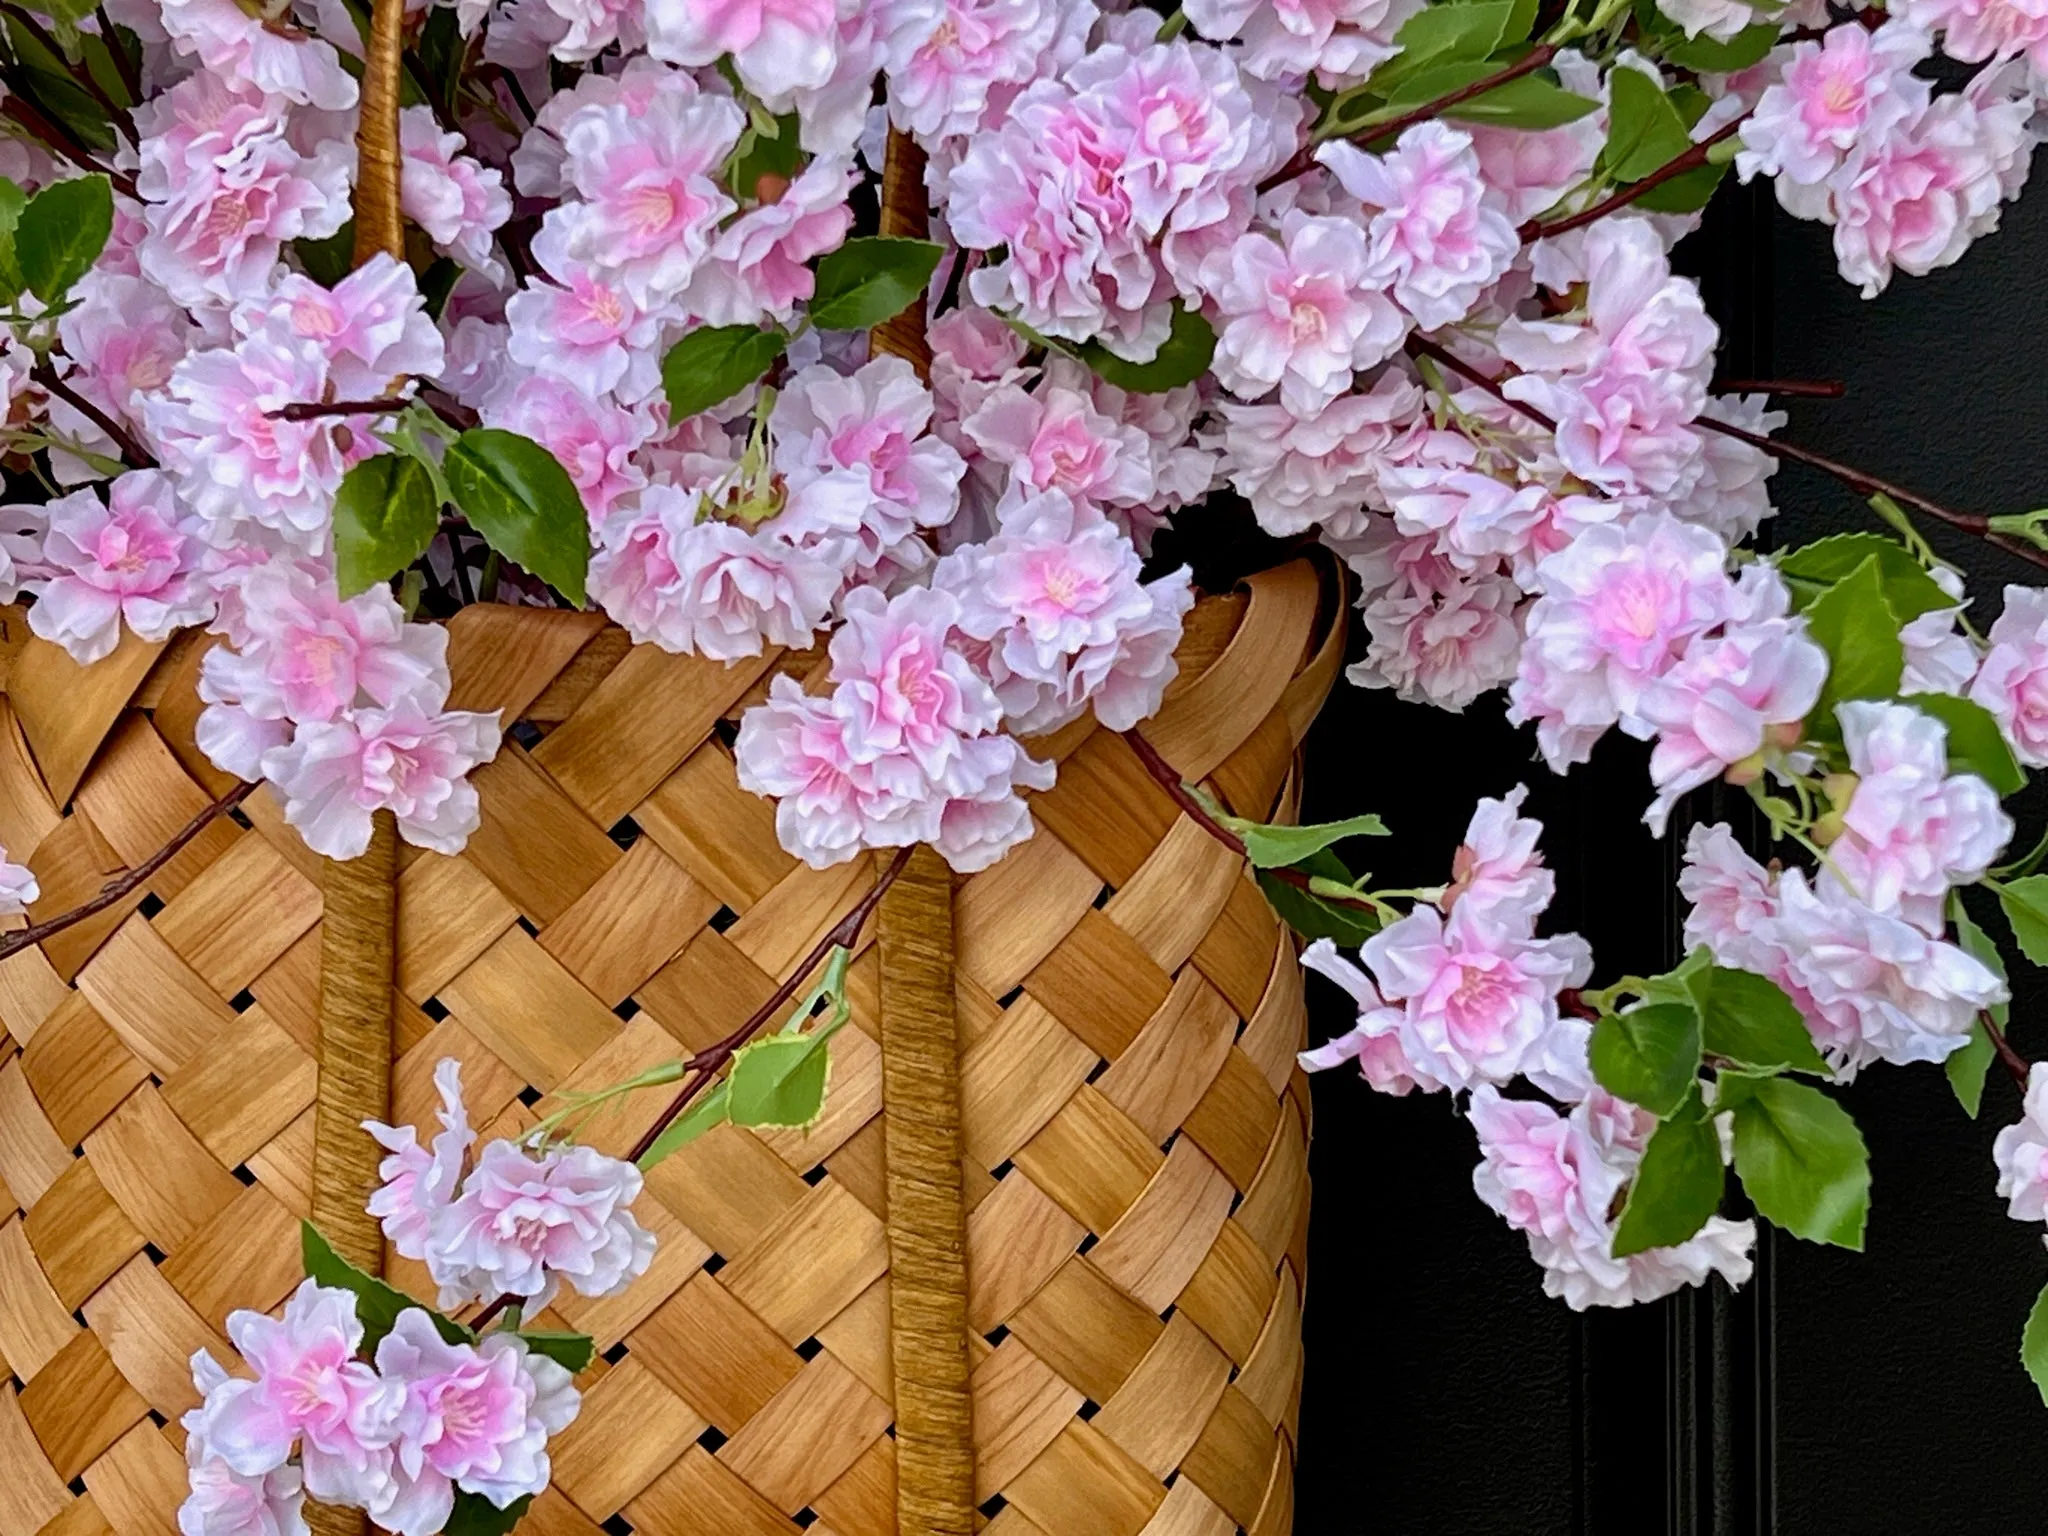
{"type": "Point", "coordinates": [1838, 1394]}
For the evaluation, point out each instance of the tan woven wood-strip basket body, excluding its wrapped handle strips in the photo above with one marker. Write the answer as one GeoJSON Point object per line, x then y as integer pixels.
{"type": "Point", "coordinates": [1134, 1121]}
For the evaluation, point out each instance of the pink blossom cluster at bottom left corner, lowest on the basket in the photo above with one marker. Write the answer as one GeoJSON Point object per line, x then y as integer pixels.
{"type": "Point", "coordinates": [398, 1437]}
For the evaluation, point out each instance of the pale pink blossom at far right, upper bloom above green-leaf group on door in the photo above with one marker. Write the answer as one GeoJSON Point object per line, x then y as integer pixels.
{"type": "Point", "coordinates": [1912, 830]}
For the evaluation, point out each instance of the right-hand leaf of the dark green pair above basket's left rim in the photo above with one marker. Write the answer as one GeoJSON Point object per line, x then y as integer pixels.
{"type": "Point", "coordinates": [523, 503]}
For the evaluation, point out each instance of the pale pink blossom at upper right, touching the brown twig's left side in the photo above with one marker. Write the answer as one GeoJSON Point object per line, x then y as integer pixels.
{"type": "Point", "coordinates": [1437, 230]}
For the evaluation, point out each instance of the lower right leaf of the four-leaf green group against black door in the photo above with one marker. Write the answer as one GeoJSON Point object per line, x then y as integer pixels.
{"type": "Point", "coordinates": [1801, 1158]}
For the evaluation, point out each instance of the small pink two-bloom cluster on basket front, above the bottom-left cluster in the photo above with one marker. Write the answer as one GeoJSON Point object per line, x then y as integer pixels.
{"type": "Point", "coordinates": [517, 1224]}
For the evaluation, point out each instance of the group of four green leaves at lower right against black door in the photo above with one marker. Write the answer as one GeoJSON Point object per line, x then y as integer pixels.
{"type": "Point", "coordinates": [1707, 1041]}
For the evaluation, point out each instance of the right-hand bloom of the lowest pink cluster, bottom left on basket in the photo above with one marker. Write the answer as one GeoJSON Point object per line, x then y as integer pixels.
{"type": "Point", "coordinates": [474, 1418]}
